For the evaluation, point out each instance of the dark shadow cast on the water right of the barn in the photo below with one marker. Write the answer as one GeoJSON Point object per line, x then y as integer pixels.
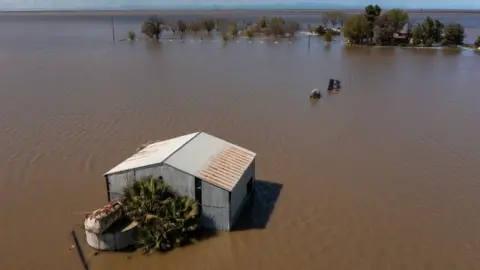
{"type": "Point", "coordinates": [259, 208]}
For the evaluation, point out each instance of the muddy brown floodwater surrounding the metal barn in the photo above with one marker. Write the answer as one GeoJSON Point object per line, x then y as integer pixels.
{"type": "Point", "coordinates": [383, 175]}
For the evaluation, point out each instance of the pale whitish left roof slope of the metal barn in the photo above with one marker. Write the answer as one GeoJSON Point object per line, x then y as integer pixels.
{"type": "Point", "coordinates": [154, 153]}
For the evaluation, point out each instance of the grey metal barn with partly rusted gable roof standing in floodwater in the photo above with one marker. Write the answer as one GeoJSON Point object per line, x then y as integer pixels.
{"type": "Point", "coordinates": [216, 173]}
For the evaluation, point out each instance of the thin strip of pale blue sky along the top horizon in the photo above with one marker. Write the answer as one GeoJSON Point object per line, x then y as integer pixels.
{"type": "Point", "coordinates": [173, 4]}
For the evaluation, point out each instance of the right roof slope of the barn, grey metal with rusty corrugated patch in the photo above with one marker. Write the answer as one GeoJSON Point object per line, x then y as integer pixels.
{"type": "Point", "coordinates": [213, 160]}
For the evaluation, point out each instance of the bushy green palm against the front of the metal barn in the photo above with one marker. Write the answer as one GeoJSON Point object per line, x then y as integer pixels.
{"type": "Point", "coordinates": [164, 220]}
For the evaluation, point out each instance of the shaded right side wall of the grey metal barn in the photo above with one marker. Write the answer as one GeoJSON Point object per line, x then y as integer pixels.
{"type": "Point", "coordinates": [239, 193]}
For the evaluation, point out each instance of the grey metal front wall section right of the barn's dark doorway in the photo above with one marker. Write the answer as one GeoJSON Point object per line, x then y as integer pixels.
{"type": "Point", "coordinates": [215, 207]}
